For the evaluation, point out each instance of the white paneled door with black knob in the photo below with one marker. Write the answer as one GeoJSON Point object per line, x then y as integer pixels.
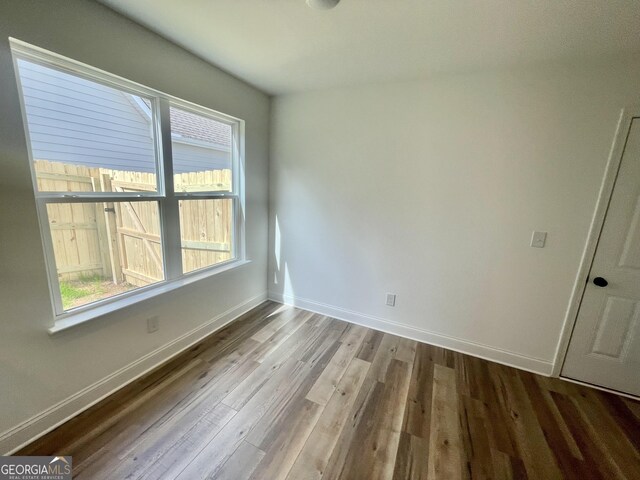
{"type": "Point", "coordinates": [605, 345]}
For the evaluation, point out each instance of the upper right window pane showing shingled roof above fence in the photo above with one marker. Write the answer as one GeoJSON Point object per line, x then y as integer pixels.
{"type": "Point", "coordinates": [201, 150]}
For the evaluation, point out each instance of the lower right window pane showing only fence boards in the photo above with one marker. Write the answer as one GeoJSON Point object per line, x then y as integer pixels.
{"type": "Point", "coordinates": [206, 232]}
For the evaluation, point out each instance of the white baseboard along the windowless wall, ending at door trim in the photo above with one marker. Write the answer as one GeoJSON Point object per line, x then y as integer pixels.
{"type": "Point", "coordinates": [487, 352]}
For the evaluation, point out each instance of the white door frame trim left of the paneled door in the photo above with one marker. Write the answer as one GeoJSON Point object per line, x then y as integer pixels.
{"type": "Point", "coordinates": [595, 229]}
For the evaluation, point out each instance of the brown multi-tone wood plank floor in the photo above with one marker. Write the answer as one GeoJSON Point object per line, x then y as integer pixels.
{"type": "Point", "coordinates": [286, 394]}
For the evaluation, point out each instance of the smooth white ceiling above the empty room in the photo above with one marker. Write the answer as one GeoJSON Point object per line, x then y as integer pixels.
{"type": "Point", "coordinates": [283, 46]}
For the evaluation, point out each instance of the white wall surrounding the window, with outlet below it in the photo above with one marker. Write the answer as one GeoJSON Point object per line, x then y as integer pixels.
{"type": "Point", "coordinates": [36, 370]}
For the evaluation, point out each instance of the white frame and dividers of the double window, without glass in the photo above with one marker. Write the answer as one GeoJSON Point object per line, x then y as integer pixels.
{"type": "Point", "coordinates": [167, 199]}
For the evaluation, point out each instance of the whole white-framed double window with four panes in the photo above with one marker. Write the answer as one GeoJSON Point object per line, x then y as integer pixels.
{"type": "Point", "coordinates": [137, 191]}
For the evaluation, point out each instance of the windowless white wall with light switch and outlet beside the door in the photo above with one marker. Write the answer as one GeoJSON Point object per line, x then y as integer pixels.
{"type": "Point", "coordinates": [432, 189]}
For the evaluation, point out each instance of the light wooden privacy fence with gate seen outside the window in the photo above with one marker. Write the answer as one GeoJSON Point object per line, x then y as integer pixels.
{"type": "Point", "coordinates": [121, 240]}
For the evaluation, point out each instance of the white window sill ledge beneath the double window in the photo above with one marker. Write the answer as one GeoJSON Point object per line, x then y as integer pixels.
{"type": "Point", "coordinates": [73, 319]}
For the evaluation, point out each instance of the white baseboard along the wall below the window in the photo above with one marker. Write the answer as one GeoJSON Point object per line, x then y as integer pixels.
{"type": "Point", "coordinates": [26, 432]}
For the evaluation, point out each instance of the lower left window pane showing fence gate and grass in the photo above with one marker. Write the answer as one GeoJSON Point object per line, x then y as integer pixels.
{"type": "Point", "coordinates": [104, 249]}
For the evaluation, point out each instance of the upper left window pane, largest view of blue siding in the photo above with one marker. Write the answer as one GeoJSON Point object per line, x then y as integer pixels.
{"type": "Point", "coordinates": [85, 136]}
